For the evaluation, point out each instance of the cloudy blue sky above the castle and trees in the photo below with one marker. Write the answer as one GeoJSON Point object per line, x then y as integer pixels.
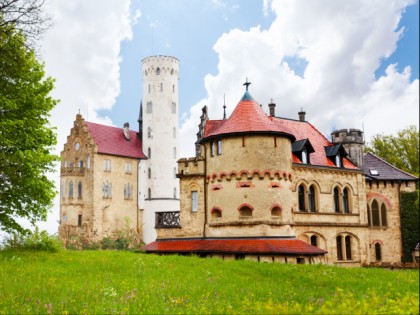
{"type": "Point", "coordinates": [348, 64]}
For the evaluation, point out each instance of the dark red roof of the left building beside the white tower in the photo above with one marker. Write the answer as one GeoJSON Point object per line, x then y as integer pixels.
{"type": "Point", "coordinates": [111, 140]}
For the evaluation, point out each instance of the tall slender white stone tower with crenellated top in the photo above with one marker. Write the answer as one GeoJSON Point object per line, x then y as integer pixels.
{"type": "Point", "coordinates": [158, 185]}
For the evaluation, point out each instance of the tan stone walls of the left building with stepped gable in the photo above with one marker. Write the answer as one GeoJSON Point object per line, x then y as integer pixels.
{"type": "Point", "coordinates": [98, 195]}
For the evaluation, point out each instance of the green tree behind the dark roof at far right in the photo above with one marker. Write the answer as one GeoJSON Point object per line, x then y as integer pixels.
{"type": "Point", "coordinates": [401, 150]}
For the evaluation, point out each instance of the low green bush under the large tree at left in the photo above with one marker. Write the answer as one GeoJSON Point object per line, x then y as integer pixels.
{"type": "Point", "coordinates": [34, 241]}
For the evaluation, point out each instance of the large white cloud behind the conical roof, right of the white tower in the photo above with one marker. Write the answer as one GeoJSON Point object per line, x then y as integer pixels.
{"type": "Point", "coordinates": [342, 43]}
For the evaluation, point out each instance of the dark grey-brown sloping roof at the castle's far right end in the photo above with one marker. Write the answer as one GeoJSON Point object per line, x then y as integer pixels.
{"type": "Point", "coordinates": [376, 168]}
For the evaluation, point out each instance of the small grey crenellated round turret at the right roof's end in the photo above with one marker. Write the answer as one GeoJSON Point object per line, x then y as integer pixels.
{"type": "Point", "coordinates": [353, 141]}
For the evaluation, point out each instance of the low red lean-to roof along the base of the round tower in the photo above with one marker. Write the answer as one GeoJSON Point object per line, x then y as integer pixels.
{"type": "Point", "coordinates": [232, 245]}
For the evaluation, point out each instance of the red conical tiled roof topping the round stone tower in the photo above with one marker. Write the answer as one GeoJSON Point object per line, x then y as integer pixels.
{"type": "Point", "coordinates": [247, 117]}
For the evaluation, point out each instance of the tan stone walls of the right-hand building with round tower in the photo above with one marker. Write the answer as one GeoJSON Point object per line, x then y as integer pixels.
{"type": "Point", "coordinates": [250, 185]}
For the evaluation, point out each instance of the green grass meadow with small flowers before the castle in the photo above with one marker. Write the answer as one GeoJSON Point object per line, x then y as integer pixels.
{"type": "Point", "coordinates": [108, 282]}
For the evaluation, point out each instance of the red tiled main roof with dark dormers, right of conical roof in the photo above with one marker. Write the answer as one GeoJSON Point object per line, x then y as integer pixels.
{"type": "Point", "coordinates": [304, 130]}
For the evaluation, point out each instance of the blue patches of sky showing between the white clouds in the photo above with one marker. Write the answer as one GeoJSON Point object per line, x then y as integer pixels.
{"type": "Point", "coordinates": [189, 29]}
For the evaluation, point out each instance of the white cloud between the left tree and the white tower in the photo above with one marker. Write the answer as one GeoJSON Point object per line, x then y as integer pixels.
{"type": "Point", "coordinates": [82, 52]}
